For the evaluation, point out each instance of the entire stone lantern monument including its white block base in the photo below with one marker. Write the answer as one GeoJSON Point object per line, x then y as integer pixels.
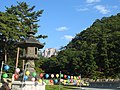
{"type": "Point", "coordinates": [30, 48]}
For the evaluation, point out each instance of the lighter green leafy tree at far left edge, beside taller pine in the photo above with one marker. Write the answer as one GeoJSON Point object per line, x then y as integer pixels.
{"type": "Point", "coordinates": [9, 34]}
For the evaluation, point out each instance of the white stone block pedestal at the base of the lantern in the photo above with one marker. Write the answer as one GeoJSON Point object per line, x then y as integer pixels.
{"type": "Point", "coordinates": [28, 85]}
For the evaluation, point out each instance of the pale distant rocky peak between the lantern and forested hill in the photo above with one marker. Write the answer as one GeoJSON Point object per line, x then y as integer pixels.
{"type": "Point", "coordinates": [49, 52]}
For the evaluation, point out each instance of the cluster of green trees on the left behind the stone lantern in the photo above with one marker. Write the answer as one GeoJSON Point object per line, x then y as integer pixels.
{"type": "Point", "coordinates": [15, 22]}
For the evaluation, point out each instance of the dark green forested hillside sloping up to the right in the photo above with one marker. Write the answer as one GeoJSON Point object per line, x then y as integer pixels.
{"type": "Point", "coordinates": [93, 53]}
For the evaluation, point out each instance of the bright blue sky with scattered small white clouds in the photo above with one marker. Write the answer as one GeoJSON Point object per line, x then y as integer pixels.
{"type": "Point", "coordinates": [63, 19]}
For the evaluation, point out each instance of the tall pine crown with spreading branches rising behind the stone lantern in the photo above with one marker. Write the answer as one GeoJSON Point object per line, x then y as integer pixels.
{"type": "Point", "coordinates": [28, 18]}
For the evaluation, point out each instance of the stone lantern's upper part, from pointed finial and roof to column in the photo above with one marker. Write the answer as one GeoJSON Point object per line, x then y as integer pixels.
{"type": "Point", "coordinates": [30, 48]}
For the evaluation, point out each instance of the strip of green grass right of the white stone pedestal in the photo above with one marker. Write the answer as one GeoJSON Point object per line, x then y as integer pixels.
{"type": "Point", "coordinates": [56, 87]}
